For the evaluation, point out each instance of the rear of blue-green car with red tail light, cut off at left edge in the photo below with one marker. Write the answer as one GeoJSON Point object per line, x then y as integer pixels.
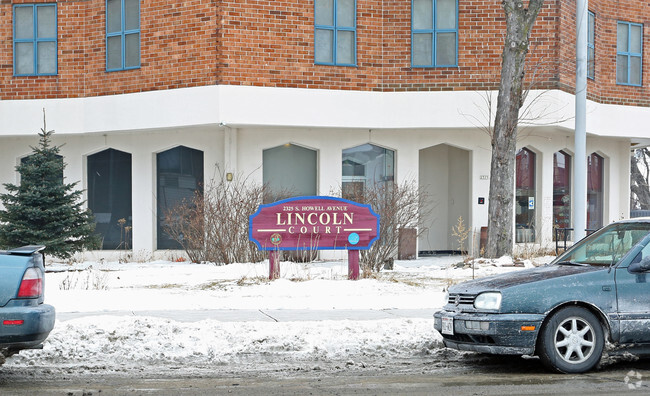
{"type": "Point", "coordinates": [25, 321]}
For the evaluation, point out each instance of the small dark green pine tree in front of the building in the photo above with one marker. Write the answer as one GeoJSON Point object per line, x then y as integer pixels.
{"type": "Point", "coordinates": [43, 210]}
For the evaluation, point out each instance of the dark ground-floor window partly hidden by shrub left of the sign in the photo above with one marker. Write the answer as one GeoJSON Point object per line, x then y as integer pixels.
{"type": "Point", "coordinates": [180, 176]}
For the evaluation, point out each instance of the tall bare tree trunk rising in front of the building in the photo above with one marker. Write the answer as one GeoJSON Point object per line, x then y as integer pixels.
{"type": "Point", "coordinates": [519, 23]}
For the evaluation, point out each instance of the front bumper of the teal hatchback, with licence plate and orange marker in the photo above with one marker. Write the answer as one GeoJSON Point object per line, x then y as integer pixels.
{"type": "Point", "coordinates": [504, 334]}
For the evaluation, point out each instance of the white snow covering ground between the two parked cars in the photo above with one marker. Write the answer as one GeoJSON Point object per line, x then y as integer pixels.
{"type": "Point", "coordinates": [105, 337]}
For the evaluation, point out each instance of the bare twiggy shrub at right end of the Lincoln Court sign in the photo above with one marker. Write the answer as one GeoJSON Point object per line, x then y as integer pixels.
{"type": "Point", "coordinates": [399, 207]}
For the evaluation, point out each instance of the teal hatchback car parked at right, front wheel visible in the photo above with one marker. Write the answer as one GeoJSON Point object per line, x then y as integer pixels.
{"type": "Point", "coordinates": [597, 292]}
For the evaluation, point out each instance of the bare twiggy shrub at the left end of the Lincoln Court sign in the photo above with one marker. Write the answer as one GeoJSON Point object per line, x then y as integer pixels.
{"type": "Point", "coordinates": [213, 226]}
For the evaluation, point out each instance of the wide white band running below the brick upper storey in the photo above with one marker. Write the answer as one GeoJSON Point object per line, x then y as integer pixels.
{"type": "Point", "coordinates": [305, 108]}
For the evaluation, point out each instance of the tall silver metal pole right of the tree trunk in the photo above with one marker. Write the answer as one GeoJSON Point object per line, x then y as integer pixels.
{"type": "Point", "coordinates": [580, 167]}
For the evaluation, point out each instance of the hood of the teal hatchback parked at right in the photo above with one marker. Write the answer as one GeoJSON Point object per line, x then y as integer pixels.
{"type": "Point", "coordinates": [503, 281]}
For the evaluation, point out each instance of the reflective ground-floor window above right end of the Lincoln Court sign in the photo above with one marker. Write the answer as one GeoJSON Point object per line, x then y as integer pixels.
{"type": "Point", "coordinates": [366, 166]}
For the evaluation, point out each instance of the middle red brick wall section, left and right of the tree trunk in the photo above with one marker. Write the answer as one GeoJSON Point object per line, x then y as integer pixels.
{"type": "Point", "coordinates": [271, 43]}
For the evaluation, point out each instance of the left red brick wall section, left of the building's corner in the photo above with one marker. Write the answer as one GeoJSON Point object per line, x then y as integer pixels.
{"type": "Point", "coordinates": [178, 49]}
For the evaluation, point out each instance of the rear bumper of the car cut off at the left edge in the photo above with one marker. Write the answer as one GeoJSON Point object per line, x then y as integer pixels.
{"type": "Point", "coordinates": [24, 327]}
